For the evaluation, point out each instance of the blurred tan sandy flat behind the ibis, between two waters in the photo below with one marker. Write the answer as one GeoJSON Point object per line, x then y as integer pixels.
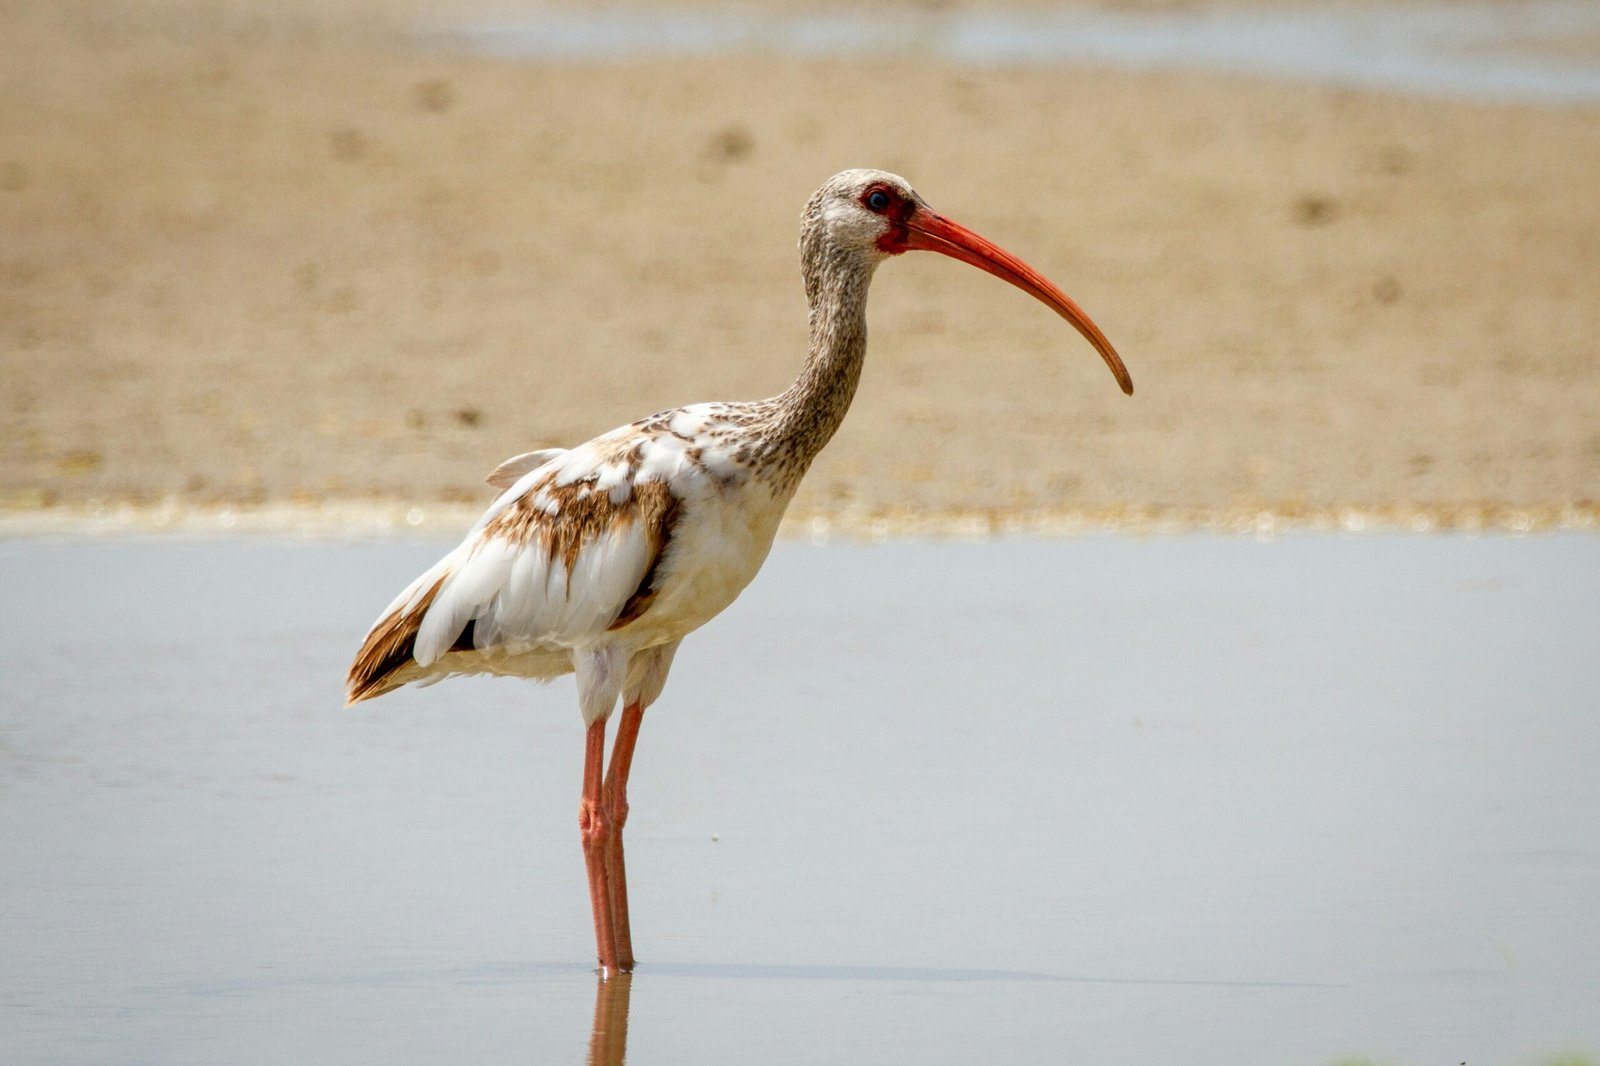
{"type": "Point", "coordinates": [263, 254]}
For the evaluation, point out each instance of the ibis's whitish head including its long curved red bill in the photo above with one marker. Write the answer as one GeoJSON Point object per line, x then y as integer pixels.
{"type": "Point", "coordinates": [871, 215]}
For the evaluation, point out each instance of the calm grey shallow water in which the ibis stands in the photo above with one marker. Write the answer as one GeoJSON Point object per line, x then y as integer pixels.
{"type": "Point", "coordinates": [1098, 801]}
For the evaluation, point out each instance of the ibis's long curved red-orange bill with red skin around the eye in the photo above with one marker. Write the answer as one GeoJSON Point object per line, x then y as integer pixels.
{"type": "Point", "coordinates": [914, 228]}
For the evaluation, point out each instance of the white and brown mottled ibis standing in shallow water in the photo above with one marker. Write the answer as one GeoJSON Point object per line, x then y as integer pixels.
{"type": "Point", "coordinates": [599, 559]}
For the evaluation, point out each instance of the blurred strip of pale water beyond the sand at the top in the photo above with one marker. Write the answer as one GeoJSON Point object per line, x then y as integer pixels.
{"type": "Point", "coordinates": [1457, 50]}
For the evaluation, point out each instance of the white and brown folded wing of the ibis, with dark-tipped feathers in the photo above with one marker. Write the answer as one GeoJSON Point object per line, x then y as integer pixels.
{"type": "Point", "coordinates": [566, 555]}
